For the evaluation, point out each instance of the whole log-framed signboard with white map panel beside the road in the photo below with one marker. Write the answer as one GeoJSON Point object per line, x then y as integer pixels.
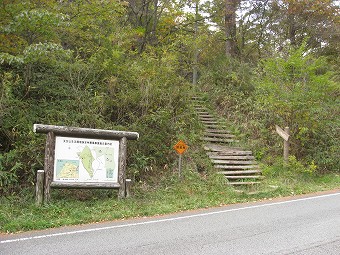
{"type": "Point", "coordinates": [84, 158]}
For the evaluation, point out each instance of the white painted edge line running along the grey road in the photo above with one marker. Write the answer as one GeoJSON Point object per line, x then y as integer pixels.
{"type": "Point", "coordinates": [165, 220]}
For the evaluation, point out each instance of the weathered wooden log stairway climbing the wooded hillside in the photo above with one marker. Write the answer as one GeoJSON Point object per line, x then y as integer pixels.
{"type": "Point", "coordinates": [236, 164]}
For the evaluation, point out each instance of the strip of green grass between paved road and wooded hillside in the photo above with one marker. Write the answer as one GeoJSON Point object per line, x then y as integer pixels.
{"type": "Point", "coordinates": [71, 207]}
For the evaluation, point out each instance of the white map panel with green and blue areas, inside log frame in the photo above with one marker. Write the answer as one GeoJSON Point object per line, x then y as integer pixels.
{"type": "Point", "coordinates": [85, 160]}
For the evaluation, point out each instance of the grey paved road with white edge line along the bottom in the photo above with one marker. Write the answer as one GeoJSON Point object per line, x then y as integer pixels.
{"type": "Point", "coordinates": [304, 225]}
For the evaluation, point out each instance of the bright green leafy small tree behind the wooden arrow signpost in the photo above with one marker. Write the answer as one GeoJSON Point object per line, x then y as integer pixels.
{"type": "Point", "coordinates": [297, 91]}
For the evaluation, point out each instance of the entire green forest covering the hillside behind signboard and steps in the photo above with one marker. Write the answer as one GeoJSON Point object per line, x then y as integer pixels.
{"type": "Point", "coordinates": [128, 65]}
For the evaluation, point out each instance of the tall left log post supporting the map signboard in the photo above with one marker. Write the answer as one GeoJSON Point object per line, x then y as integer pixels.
{"type": "Point", "coordinates": [49, 164]}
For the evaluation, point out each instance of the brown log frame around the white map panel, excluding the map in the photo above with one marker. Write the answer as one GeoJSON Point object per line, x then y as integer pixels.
{"type": "Point", "coordinates": [86, 133]}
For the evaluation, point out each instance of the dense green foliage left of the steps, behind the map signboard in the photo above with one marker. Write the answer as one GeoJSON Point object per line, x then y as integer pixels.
{"type": "Point", "coordinates": [78, 63]}
